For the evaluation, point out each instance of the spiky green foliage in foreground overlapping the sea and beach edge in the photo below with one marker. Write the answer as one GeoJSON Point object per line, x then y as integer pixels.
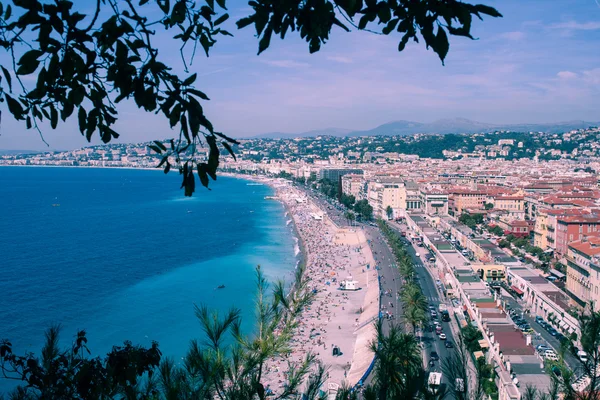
{"type": "Point", "coordinates": [214, 369]}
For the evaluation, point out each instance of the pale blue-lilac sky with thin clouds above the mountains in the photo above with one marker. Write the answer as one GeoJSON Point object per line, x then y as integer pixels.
{"type": "Point", "coordinates": [539, 63]}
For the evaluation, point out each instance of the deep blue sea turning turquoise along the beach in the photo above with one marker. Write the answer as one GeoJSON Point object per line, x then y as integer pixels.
{"type": "Point", "coordinates": [123, 255]}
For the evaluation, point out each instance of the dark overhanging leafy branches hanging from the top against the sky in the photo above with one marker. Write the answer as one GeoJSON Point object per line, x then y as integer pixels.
{"type": "Point", "coordinates": [84, 64]}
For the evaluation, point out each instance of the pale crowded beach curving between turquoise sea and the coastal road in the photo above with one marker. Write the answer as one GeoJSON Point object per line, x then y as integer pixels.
{"type": "Point", "coordinates": [337, 319]}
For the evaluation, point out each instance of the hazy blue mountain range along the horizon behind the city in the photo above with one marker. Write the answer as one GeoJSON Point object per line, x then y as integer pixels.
{"type": "Point", "coordinates": [442, 126]}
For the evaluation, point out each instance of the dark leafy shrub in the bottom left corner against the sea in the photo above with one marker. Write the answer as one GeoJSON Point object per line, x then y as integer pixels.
{"type": "Point", "coordinates": [70, 374]}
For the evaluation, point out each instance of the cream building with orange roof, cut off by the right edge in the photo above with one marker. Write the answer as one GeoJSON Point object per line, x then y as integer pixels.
{"type": "Point", "coordinates": [583, 271]}
